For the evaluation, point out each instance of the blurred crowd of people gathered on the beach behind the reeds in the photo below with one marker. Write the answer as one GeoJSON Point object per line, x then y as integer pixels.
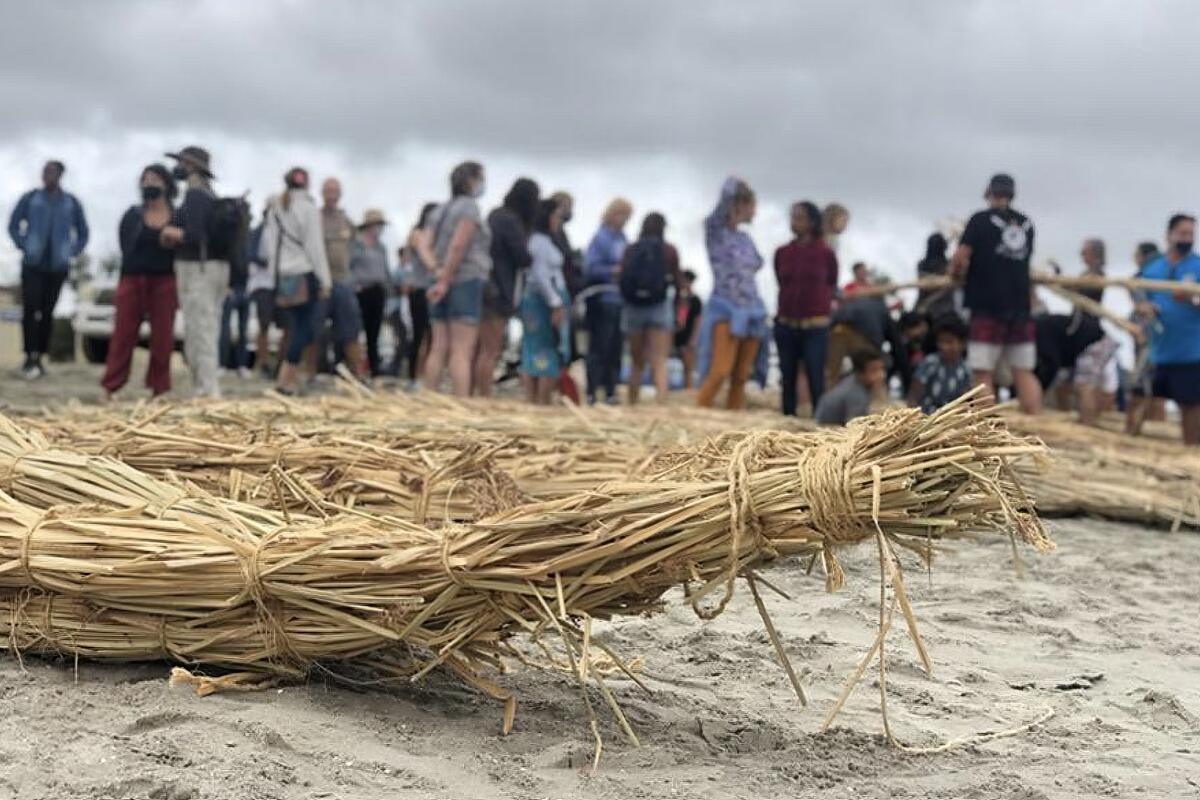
{"type": "Point", "coordinates": [327, 282]}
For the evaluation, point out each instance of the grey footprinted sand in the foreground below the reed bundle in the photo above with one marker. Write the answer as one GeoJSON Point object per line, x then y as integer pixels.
{"type": "Point", "coordinates": [1103, 631]}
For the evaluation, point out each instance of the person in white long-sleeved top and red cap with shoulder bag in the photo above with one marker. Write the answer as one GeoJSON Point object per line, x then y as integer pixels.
{"type": "Point", "coordinates": [295, 249]}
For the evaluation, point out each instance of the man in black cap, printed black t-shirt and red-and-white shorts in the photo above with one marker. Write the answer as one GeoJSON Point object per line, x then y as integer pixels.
{"type": "Point", "coordinates": [993, 257]}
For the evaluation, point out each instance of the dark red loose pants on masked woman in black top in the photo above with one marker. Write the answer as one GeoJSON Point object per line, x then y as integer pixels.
{"type": "Point", "coordinates": [142, 297]}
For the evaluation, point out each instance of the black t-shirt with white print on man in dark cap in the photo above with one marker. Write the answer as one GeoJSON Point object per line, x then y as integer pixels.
{"type": "Point", "coordinates": [998, 284]}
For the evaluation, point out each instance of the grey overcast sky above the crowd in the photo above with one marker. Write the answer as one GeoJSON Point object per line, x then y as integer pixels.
{"type": "Point", "coordinates": [901, 111]}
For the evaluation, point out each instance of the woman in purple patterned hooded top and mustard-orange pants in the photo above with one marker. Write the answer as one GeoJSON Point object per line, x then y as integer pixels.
{"type": "Point", "coordinates": [735, 318]}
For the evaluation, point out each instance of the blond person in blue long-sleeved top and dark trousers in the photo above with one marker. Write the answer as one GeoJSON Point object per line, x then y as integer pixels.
{"type": "Point", "coordinates": [601, 263]}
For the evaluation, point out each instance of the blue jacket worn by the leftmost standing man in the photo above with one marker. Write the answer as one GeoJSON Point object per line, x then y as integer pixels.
{"type": "Point", "coordinates": [49, 230]}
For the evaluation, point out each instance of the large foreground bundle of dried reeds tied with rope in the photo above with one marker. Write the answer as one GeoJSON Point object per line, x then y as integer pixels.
{"type": "Point", "coordinates": [207, 580]}
